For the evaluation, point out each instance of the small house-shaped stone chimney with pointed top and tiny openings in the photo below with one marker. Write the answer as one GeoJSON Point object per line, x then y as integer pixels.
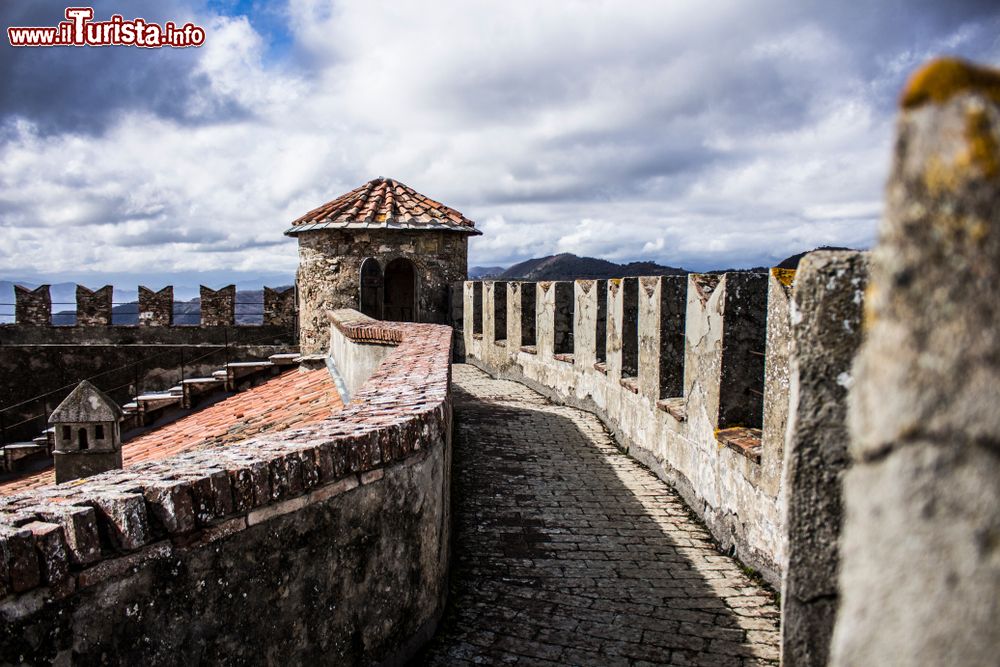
{"type": "Point", "coordinates": [87, 434]}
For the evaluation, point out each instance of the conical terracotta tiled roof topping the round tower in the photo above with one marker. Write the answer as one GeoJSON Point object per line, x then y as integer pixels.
{"type": "Point", "coordinates": [383, 203]}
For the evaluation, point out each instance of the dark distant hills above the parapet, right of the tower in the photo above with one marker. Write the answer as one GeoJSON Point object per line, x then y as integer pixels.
{"type": "Point", "coordinates": [567, 266]}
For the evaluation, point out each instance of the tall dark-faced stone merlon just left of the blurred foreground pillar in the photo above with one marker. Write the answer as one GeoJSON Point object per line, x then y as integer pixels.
{"type": "Point", "coordinates": [826, 333]}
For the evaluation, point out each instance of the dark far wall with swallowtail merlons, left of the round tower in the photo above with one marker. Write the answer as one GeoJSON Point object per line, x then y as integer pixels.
{"type": "Point", "coordinates": [38, 359]}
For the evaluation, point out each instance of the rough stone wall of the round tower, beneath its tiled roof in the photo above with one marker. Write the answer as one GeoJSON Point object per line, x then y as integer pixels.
{"type": "Point", "coordinates": [329, 273]}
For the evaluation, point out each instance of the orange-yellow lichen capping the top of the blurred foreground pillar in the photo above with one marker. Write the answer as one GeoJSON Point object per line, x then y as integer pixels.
{"type": "Point", "coordinates": [941, 79]}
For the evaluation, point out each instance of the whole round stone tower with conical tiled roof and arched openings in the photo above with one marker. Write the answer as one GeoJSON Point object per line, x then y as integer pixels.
{"type": "Point", "coordinates": [383, 249]}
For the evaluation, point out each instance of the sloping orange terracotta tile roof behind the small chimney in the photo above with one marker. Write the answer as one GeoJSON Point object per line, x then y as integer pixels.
{"type": "Point", "coordinates": [294, 398]}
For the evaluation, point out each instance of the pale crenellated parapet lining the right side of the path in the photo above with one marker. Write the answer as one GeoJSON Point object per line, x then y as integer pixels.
{"type": "Point", "coordinates": [692, 373]}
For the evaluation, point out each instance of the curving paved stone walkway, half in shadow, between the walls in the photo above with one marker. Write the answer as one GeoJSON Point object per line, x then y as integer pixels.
{"type": "Point", "coordinates": [568, 552]}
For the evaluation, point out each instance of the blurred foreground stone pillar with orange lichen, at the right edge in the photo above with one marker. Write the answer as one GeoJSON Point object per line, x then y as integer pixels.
{"type": "Point", "coordinates": [921, 545]}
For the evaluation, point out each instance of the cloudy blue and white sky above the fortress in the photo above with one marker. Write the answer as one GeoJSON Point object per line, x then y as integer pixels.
{"type": "Point", "coordinates": [700, 134]}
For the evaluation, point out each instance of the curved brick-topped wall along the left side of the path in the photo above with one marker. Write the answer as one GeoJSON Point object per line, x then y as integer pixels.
{"type": "Point", "coordinates": [325, 543]}
